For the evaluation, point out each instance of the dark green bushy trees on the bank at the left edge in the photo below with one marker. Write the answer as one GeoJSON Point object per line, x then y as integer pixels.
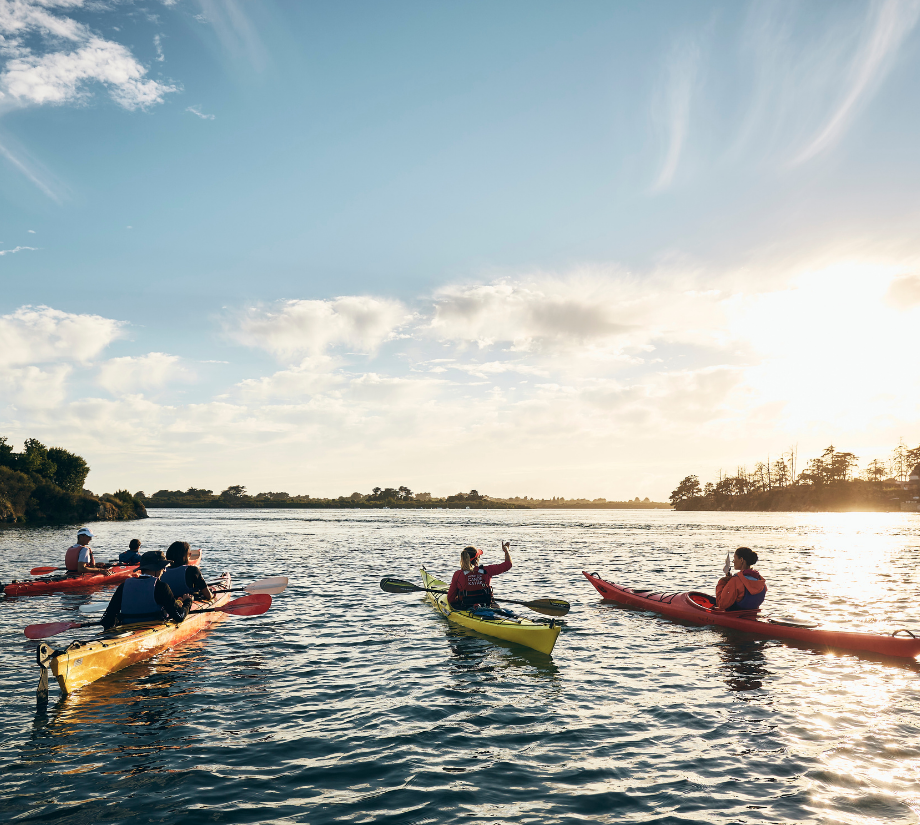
{"type": "Point", "coordinates": [43, 485]}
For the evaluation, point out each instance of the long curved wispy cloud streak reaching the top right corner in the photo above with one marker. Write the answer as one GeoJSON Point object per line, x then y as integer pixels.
{"type": "Point", "coordinates": [889, 23]}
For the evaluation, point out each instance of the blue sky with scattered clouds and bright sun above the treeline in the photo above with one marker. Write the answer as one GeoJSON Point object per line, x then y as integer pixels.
{"type": "Point", "coordinates": [533, 248]}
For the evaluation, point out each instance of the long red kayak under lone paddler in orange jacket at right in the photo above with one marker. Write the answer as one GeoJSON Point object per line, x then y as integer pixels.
{"type": "Point", "coordinates": [700, 609]}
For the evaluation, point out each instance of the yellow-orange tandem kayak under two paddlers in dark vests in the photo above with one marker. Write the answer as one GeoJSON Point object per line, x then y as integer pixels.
{"type": "Point", "coordinates": [81, 663]}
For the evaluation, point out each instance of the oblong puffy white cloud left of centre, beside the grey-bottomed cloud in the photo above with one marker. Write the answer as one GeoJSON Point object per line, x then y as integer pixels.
{"type": "Point", "coordinates": [312, 326]}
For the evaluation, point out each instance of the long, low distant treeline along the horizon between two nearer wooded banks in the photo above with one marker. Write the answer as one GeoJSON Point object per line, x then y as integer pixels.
{"type": "Point", "coordinates": [379, 498]}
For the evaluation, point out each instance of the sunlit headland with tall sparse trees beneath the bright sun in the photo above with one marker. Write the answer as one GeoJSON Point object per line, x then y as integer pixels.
{"type": "Point", "coordinates": [830, 483]}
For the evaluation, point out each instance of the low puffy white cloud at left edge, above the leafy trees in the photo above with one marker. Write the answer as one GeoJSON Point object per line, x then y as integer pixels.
{"type": "Point", "coordinates": [34, 335]}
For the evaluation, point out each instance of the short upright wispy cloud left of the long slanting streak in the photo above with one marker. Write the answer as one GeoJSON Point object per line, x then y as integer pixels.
{"type": "Point", "coordinates": [672, 107]}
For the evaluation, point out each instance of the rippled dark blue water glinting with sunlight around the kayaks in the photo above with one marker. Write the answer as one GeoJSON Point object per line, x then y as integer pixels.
{"type": "Point", "coordinates": [344, 704]}
